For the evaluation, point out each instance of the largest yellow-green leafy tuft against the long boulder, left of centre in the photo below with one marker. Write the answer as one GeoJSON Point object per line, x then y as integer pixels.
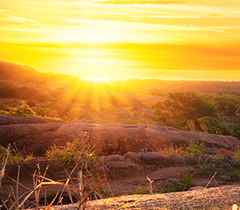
{"type": "Point", "coordinates": [72, 153]}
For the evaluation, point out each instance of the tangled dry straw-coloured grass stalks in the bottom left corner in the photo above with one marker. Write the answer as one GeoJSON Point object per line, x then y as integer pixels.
{"type": "Point", "coordinates": [41, 183]}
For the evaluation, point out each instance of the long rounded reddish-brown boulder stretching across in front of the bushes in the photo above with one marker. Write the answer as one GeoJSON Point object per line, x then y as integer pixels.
{"type": "Point", "coordinates": [107, 139]}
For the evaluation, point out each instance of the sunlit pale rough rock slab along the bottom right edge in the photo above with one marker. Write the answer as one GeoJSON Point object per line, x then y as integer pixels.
{"type": "Point", "coordinates": [223, 197]}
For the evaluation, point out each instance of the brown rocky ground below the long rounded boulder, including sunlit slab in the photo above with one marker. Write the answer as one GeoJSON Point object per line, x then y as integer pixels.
{"type": "Point", "coordinates": [130, 174]}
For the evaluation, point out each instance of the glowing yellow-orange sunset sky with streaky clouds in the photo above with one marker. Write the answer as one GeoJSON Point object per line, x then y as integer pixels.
{"type": "Point", "coordinates": [165, 39]}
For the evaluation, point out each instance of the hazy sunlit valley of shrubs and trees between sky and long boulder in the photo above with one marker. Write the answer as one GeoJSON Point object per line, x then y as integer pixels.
{"type": "Point", "coordinates": [132, 101]}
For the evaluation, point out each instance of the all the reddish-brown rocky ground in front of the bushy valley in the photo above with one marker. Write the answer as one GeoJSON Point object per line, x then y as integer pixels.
{"type": "Point", "coordinates": [129, 157]}
